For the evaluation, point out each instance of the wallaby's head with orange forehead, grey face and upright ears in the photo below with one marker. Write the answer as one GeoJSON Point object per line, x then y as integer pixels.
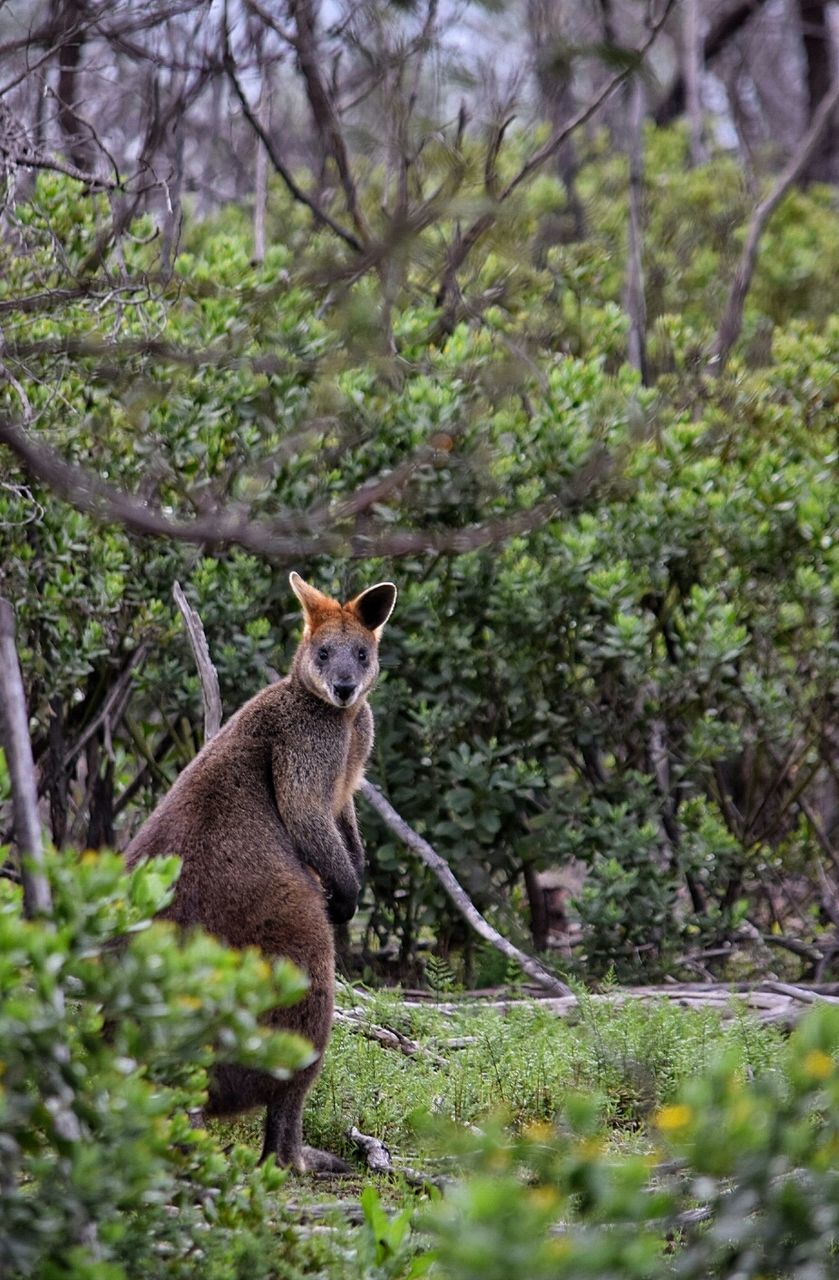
{"type": "Point", "coordinates": [339, 656]}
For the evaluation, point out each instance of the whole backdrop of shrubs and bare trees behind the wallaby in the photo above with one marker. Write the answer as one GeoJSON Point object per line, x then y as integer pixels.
{"type": "Point", "coordinates": [359, 291]}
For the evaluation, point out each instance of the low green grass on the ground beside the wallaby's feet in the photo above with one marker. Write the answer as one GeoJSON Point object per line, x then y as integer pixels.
{"type": "Point", "coordinates": [522, 1064]}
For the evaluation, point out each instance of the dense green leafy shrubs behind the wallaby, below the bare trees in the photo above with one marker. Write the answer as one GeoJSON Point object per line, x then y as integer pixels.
{"type": "Point", "coordinates": [645, 682]}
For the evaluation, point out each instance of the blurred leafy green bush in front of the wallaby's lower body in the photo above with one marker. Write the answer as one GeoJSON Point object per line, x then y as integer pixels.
{"type": "Point", "coordinates": [108, 1026]}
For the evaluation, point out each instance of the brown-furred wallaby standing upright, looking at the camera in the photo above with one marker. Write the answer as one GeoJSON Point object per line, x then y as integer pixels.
{"type": "Point", "coordinates": [265, 824]}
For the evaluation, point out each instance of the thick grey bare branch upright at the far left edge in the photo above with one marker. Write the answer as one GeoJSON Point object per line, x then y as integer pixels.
{"type": "Point", "coordinates": [19, 751]}
